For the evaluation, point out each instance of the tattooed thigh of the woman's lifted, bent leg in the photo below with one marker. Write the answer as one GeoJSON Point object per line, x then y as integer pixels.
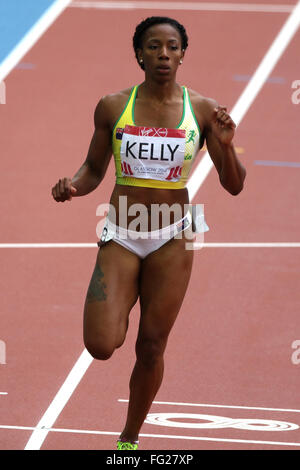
{"type": "Point", "coordinates": [112, 292]}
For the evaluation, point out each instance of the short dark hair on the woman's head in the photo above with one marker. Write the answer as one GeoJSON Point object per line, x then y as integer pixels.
{"type": "Point", "coordinates": [151, 21]}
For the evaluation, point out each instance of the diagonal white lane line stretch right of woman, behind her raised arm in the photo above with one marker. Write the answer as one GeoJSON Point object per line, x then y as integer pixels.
{"type": "Point", "coordinates": [251, 91]}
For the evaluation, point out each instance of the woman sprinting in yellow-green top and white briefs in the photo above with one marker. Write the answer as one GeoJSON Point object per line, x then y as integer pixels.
{"type": "Point", "coordinates": [154, 130]}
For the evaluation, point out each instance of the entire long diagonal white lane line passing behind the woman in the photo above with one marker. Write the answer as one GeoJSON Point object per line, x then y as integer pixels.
{"type": "Point", "coordinates": [274, 53]}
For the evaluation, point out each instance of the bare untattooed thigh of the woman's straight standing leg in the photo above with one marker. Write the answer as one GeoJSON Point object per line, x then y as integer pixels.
{"type": "Point", "coordinates": [165, 275]}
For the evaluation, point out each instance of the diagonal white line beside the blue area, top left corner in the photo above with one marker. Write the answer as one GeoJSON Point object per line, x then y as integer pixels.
{"type": "Point", "coordinates": [32, 36]}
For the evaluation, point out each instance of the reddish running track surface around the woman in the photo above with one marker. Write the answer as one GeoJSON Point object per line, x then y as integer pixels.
{"type": "Point", "coordinates": [230, 354]}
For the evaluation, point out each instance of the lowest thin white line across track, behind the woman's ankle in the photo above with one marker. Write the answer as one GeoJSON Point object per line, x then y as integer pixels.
{"type": "Point", "coordinates": [159, 436]}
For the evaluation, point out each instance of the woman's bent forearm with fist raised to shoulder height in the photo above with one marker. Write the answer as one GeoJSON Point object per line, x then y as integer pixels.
{"type": "Point", "coordinates": [219, 132]}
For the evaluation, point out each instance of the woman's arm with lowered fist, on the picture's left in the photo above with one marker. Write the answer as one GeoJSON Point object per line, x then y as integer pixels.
{"type": "Point", "coordinates": [93, 170]}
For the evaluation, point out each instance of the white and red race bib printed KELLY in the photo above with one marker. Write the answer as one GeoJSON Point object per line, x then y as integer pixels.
{"type": "Point", "coordinates": [151, 152]}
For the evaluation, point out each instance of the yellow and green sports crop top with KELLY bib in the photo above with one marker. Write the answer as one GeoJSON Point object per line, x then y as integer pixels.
{"type": "Point", "coordinates": [155, 157]}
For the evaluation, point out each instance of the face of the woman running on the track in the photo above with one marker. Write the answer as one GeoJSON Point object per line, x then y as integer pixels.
{"type": "Point", "coordinates": [162, 50]}
